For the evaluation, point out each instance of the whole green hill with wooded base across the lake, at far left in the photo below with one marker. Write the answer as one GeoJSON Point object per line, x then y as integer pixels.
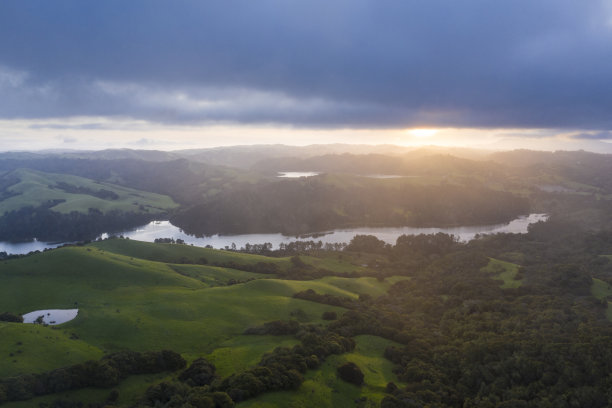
{"type": "Point", "coordinates": [62, 207]}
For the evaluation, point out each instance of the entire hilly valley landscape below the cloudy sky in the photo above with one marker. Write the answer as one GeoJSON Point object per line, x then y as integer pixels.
{"type": "Point", "coordinates": [429, 316]}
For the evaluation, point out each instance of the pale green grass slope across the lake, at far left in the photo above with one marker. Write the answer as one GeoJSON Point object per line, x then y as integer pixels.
{"type": "Point", "coordinates": [36, 188]}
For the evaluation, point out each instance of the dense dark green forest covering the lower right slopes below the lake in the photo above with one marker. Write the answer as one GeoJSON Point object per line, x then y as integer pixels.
{"type": "Point", "coordinates": [469, 342]}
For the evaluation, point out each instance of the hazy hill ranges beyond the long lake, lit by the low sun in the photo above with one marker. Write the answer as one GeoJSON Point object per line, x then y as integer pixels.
{"type": "Point", "coordinates": [250, 198]}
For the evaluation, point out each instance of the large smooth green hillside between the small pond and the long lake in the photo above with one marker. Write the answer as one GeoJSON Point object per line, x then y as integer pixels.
{"type": "Point", "coordinates": [126, 302]}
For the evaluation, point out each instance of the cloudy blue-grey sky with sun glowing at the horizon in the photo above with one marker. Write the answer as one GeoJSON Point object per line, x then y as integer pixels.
{"type": "Point", "coordinates": [168, 75]}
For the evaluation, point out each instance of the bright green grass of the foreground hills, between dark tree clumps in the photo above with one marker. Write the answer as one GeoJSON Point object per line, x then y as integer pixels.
{"type": "Point", "coordinates": [130, 296]}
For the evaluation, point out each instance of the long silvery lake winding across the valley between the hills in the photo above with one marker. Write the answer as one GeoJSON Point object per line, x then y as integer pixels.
{"type": "Point", "coordinates": [164, 229]}
